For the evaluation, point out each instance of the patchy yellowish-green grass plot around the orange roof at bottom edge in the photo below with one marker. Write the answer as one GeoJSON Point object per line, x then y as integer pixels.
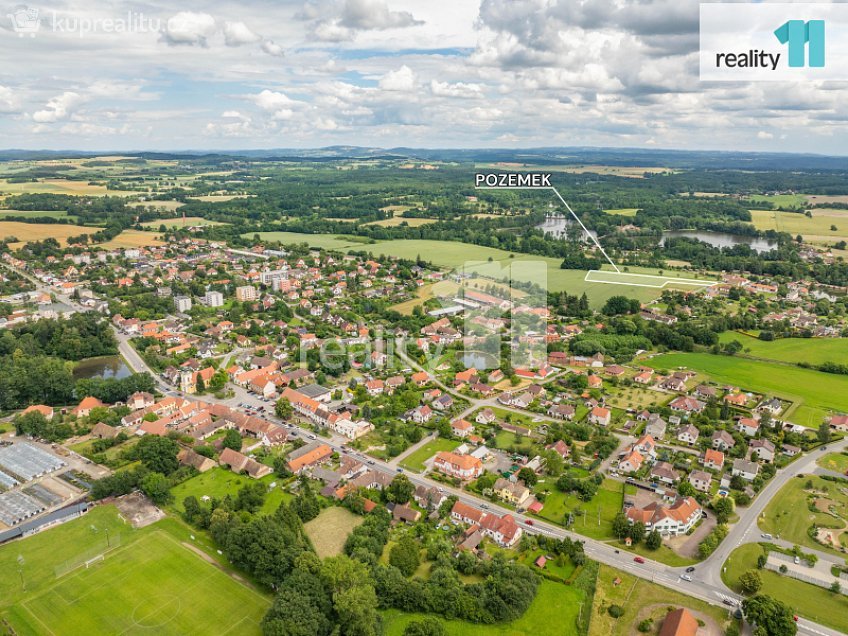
{"type": "Point", "coordinates": [636, 595]}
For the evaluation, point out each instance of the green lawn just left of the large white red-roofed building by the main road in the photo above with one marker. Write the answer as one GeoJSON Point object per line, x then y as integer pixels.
{"type": "Point", "coordinates": [593, 524]}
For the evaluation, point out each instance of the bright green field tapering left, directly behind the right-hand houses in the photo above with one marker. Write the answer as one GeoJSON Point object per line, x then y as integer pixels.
{"type": "Point", "coordinates": [812, 393]}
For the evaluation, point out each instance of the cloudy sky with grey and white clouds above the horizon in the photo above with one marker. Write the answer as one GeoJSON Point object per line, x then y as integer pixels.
{"type": "Point", "coordinates": [151, 75]}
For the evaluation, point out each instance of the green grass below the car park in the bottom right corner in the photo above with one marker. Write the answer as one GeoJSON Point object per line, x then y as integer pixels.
{"type": "Point", "coordinates": [805, 599]}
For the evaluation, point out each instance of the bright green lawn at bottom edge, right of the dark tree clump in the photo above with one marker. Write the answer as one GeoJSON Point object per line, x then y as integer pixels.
{"type": "Point", "coordinates": [553, 612]}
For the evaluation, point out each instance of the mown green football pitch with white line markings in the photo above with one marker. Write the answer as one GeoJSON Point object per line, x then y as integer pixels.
{"type": "Point", "coordinates": [153, 585]}
